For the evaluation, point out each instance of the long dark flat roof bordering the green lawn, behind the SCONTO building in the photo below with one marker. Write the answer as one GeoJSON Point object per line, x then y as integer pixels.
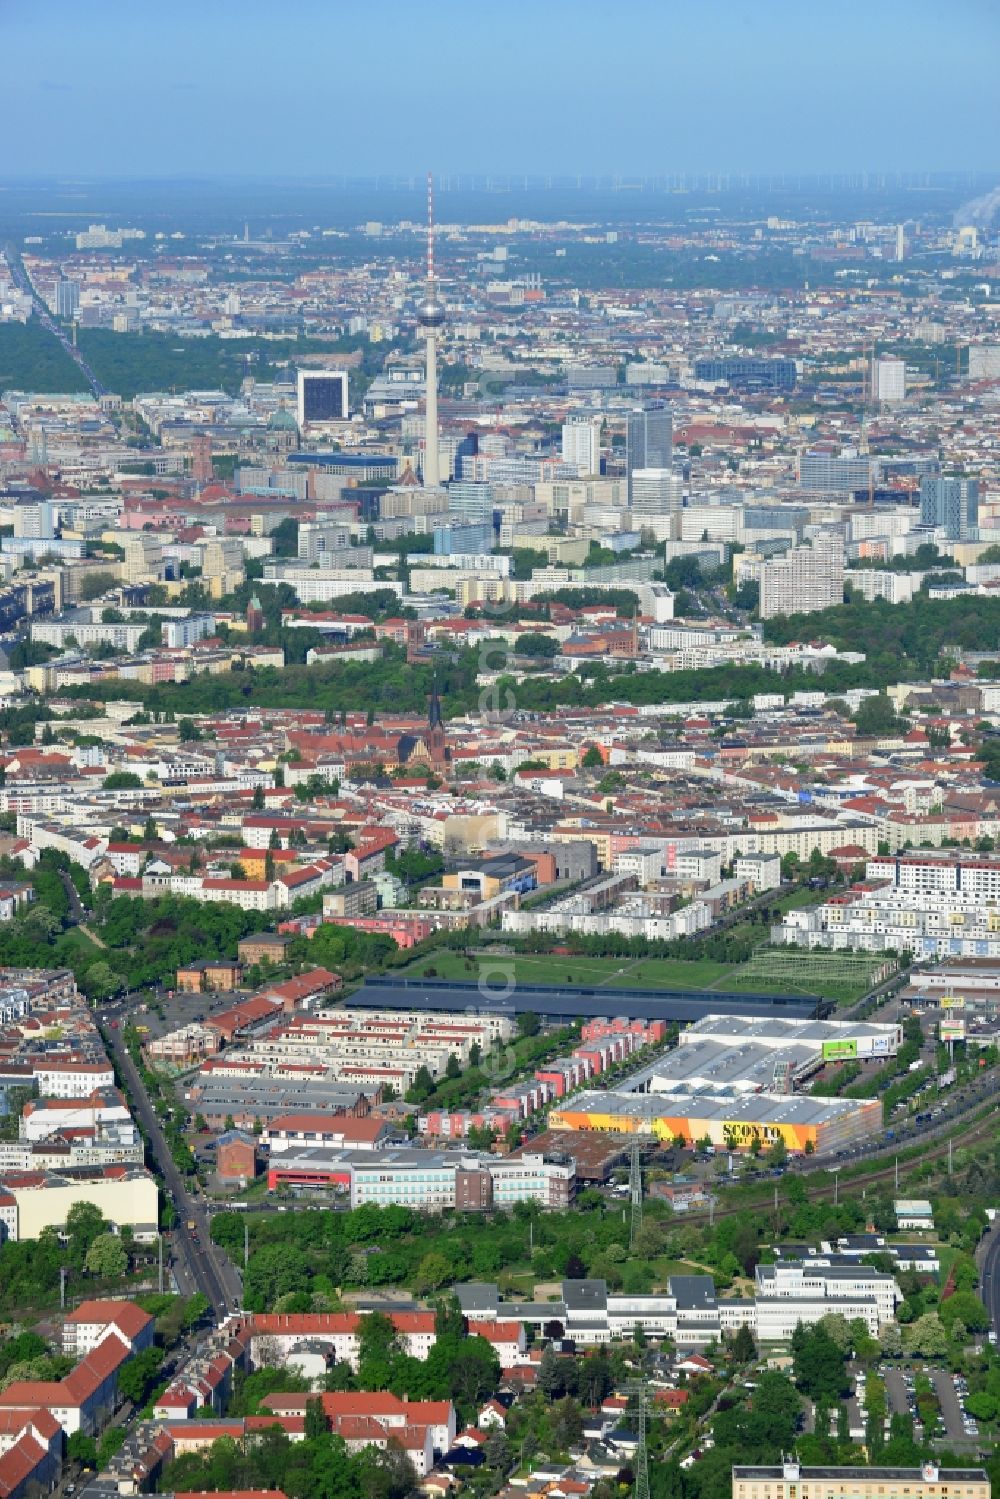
{"type": "Point", "coordinates": [569, 1002]}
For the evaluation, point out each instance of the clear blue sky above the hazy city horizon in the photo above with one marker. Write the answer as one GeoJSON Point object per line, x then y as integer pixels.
{"type": "Point", "coordinates": [317, 88]}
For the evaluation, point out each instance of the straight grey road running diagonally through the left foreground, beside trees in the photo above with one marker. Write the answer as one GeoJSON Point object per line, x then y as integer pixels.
{"type": "Point", "coordinates": [208, 1267]}
